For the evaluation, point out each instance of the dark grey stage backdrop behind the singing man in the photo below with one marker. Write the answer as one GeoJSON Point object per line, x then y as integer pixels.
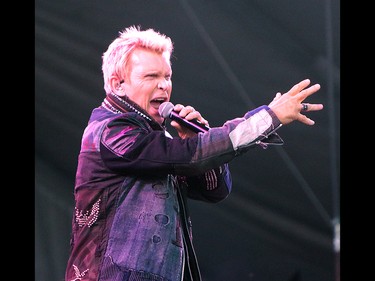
{"type": "Point", "coordinates": [230, 56]}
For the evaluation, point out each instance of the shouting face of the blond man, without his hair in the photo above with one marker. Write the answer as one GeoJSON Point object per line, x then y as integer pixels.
{"type": "Point", "coordinates": [149, 82]}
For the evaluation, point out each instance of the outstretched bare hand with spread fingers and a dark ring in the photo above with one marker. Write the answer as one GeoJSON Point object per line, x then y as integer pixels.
{"type": "Point", "coordinates": [289, 107]}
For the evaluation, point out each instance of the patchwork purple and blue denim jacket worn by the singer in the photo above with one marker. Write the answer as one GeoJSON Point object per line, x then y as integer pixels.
{"type": "Point", "coordinates": [131, 219]}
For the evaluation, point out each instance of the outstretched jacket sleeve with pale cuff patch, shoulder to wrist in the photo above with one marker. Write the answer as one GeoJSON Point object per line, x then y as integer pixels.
{"type": "Point", "coordinates": [129, 145]}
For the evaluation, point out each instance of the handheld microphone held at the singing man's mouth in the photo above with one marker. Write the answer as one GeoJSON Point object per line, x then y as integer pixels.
{"type": "Point", "coordinates": [166, 110]}
